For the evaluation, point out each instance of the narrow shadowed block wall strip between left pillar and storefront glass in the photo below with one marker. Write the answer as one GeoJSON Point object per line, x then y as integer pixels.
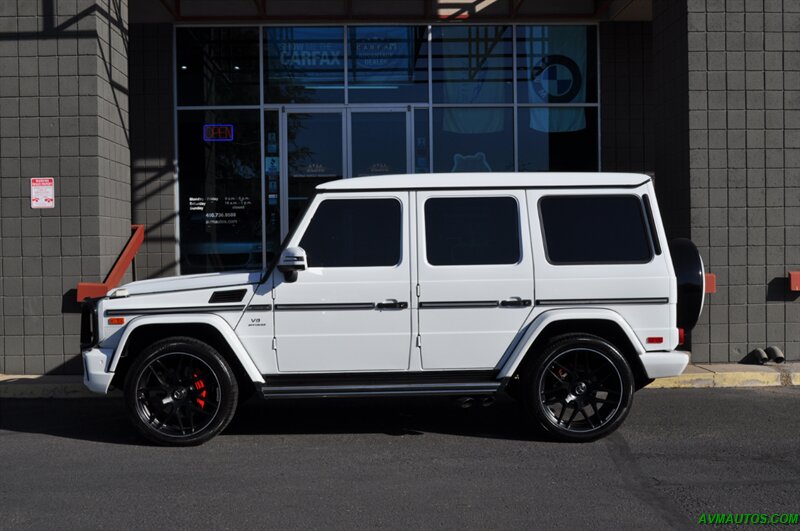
{"type": "Point", "coordinates": [153, 147]}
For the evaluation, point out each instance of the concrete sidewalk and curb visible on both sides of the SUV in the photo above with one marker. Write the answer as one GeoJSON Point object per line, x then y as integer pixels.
{"type": "Point", "coordinates": [695, 376]}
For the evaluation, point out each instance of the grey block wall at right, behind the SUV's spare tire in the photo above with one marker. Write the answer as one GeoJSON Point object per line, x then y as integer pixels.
{"type": "Point", "coordinates": [744, 105]}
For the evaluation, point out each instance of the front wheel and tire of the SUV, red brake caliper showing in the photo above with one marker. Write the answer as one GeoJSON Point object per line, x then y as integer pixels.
{"type": "Point", "coordinates": [180, 392]}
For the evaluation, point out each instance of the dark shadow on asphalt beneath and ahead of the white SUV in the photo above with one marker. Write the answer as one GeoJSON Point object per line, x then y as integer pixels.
{"type": "Point", "coordinates": [103, 420]}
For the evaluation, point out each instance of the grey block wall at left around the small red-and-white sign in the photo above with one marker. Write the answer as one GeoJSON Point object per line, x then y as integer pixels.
{"type": "Point", "coordinates": [63, 114]}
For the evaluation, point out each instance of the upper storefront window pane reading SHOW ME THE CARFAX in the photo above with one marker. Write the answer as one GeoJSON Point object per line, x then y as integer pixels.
{"type": "Point", "coordinates": [304, 65]}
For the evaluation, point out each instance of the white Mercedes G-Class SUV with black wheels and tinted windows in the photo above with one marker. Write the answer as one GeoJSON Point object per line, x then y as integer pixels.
{"type": "Point", "coordinates": [559, 289]}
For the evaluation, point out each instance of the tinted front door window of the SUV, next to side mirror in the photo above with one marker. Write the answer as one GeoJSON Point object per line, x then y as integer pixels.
{"type": "Point", "coordinates": [354, 233]}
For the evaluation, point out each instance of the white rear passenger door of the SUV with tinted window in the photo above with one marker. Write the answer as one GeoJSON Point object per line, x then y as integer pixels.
{"type": "Point", "coordinates": [475, 274]}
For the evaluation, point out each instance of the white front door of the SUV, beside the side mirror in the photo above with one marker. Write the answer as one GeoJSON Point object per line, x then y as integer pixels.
{"type": "Point", "coordinates": [349, 311]}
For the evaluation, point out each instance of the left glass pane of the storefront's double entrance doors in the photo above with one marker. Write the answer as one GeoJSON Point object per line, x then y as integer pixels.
{"type": "Point", "coordinates": [314, 141]}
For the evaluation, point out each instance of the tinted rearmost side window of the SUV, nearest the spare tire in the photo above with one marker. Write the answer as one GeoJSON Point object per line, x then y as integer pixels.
{"type": "Point", "coordinates": [597, 229]}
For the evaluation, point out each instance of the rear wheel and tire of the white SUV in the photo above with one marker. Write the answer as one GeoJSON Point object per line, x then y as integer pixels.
{"type": "Point", "coordinates": [579, 389]}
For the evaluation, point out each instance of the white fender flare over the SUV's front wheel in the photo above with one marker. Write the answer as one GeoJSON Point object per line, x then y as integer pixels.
{"type": "Point", "coordinates": [215, 321]}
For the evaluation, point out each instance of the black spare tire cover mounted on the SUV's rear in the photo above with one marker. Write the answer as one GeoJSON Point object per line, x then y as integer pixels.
{"type": "Point", "coordinates": [688, 265]}
